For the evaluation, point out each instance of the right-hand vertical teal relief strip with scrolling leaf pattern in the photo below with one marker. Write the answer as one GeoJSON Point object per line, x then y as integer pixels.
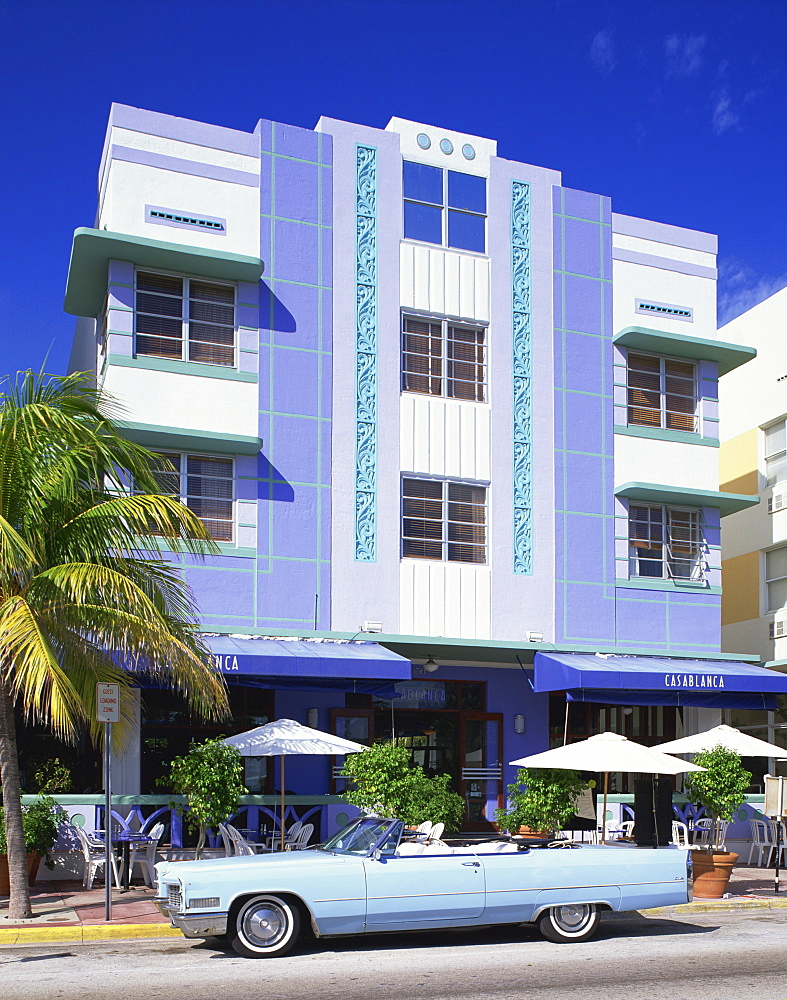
{"type": "Point", "coordinates": [522, 371]}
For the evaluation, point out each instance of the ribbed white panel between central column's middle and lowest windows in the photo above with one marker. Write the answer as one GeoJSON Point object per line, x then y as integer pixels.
{"type": "Point", "coordinates": [446, 438]}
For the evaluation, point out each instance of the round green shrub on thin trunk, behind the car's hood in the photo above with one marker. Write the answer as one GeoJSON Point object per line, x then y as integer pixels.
{"type": "Point", "coordinates": [210, 777]}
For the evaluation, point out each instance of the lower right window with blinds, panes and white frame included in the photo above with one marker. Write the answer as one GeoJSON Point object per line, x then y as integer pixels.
{"type": "Point", "coordinates": [665, 543]}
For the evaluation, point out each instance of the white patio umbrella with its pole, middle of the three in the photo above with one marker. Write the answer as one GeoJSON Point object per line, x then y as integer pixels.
{"type": "Point", "coordinates": [607, 752]}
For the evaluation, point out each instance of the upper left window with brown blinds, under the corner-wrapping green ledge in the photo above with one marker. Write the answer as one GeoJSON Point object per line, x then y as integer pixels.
{"type": "Point", "coordinates": [184, 319]}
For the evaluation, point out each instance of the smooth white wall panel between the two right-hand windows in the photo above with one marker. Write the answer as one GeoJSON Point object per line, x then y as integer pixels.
{"type": "Point", "coordinates": [668, 463]}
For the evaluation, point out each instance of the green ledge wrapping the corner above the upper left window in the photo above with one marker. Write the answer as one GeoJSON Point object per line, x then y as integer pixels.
{"type": "Point", "coordinates": [93, 249]}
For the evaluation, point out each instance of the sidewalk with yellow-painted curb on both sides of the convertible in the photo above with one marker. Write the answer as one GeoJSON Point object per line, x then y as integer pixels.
{"type": "Point", "coordinates": [64, 911]}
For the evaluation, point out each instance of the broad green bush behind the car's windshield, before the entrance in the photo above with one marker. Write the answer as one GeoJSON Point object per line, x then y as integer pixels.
{"type": "Point", "coordinates": [385, 781]}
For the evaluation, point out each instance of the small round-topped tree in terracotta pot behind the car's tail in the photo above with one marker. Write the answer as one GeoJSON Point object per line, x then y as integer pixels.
{"type": "Point", "coordinates": [720, 789]}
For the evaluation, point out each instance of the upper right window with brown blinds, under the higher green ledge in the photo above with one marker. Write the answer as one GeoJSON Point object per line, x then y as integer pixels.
{"type": "Point", "coordinates": [662, 392]}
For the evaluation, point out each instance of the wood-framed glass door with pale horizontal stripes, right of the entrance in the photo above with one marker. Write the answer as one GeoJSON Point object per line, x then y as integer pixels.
{"type": "Point", "coordinates": [481, 780]}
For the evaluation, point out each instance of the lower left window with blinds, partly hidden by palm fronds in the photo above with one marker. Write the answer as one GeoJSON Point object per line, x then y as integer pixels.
{"type": "Point", "coordinates": [205, 485]}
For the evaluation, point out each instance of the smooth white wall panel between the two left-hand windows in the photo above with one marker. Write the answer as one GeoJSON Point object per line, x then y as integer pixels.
{"type": "Point", "coordinates": [211, 405]}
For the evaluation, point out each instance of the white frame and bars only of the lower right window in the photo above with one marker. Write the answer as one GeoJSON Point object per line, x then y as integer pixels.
{"type": "Point", "coordinates": [668, 545]}
